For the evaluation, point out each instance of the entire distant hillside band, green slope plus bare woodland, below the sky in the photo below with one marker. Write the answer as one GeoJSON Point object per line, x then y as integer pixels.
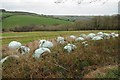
{"type": "Point", "coordinates": [25, 21]}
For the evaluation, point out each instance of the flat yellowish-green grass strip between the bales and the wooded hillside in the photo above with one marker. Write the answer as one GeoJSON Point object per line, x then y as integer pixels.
{"type": "Point", "coordinates": [25, 37]}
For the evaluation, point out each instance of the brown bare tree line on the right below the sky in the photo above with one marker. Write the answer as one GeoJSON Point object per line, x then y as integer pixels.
{"type": "Point", "coordinates": [99, 23]}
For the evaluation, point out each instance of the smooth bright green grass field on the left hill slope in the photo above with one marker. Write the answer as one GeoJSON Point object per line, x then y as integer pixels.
{"type": "Point", "coordinates": [27, 20]}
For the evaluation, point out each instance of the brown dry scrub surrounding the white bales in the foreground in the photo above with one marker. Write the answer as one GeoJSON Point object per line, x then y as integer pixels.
{"type": "Point", "coordinates": [60, 64]}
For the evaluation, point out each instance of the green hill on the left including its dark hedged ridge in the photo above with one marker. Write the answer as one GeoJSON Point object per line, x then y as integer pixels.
{"type": "Point", "coordinates": [15, 19]}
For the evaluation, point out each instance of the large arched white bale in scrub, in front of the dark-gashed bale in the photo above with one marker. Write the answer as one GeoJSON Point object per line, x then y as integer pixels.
{"type": "Point", "coordinates": [40, 51]}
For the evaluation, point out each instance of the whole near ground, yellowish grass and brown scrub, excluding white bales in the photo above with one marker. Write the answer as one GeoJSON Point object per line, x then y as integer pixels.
{"type": "Point", "coordinates": [98, 59]}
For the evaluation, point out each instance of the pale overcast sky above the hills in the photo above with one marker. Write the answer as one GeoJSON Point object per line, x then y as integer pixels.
{"type": "Point", "coordinates": [69, 7]}
